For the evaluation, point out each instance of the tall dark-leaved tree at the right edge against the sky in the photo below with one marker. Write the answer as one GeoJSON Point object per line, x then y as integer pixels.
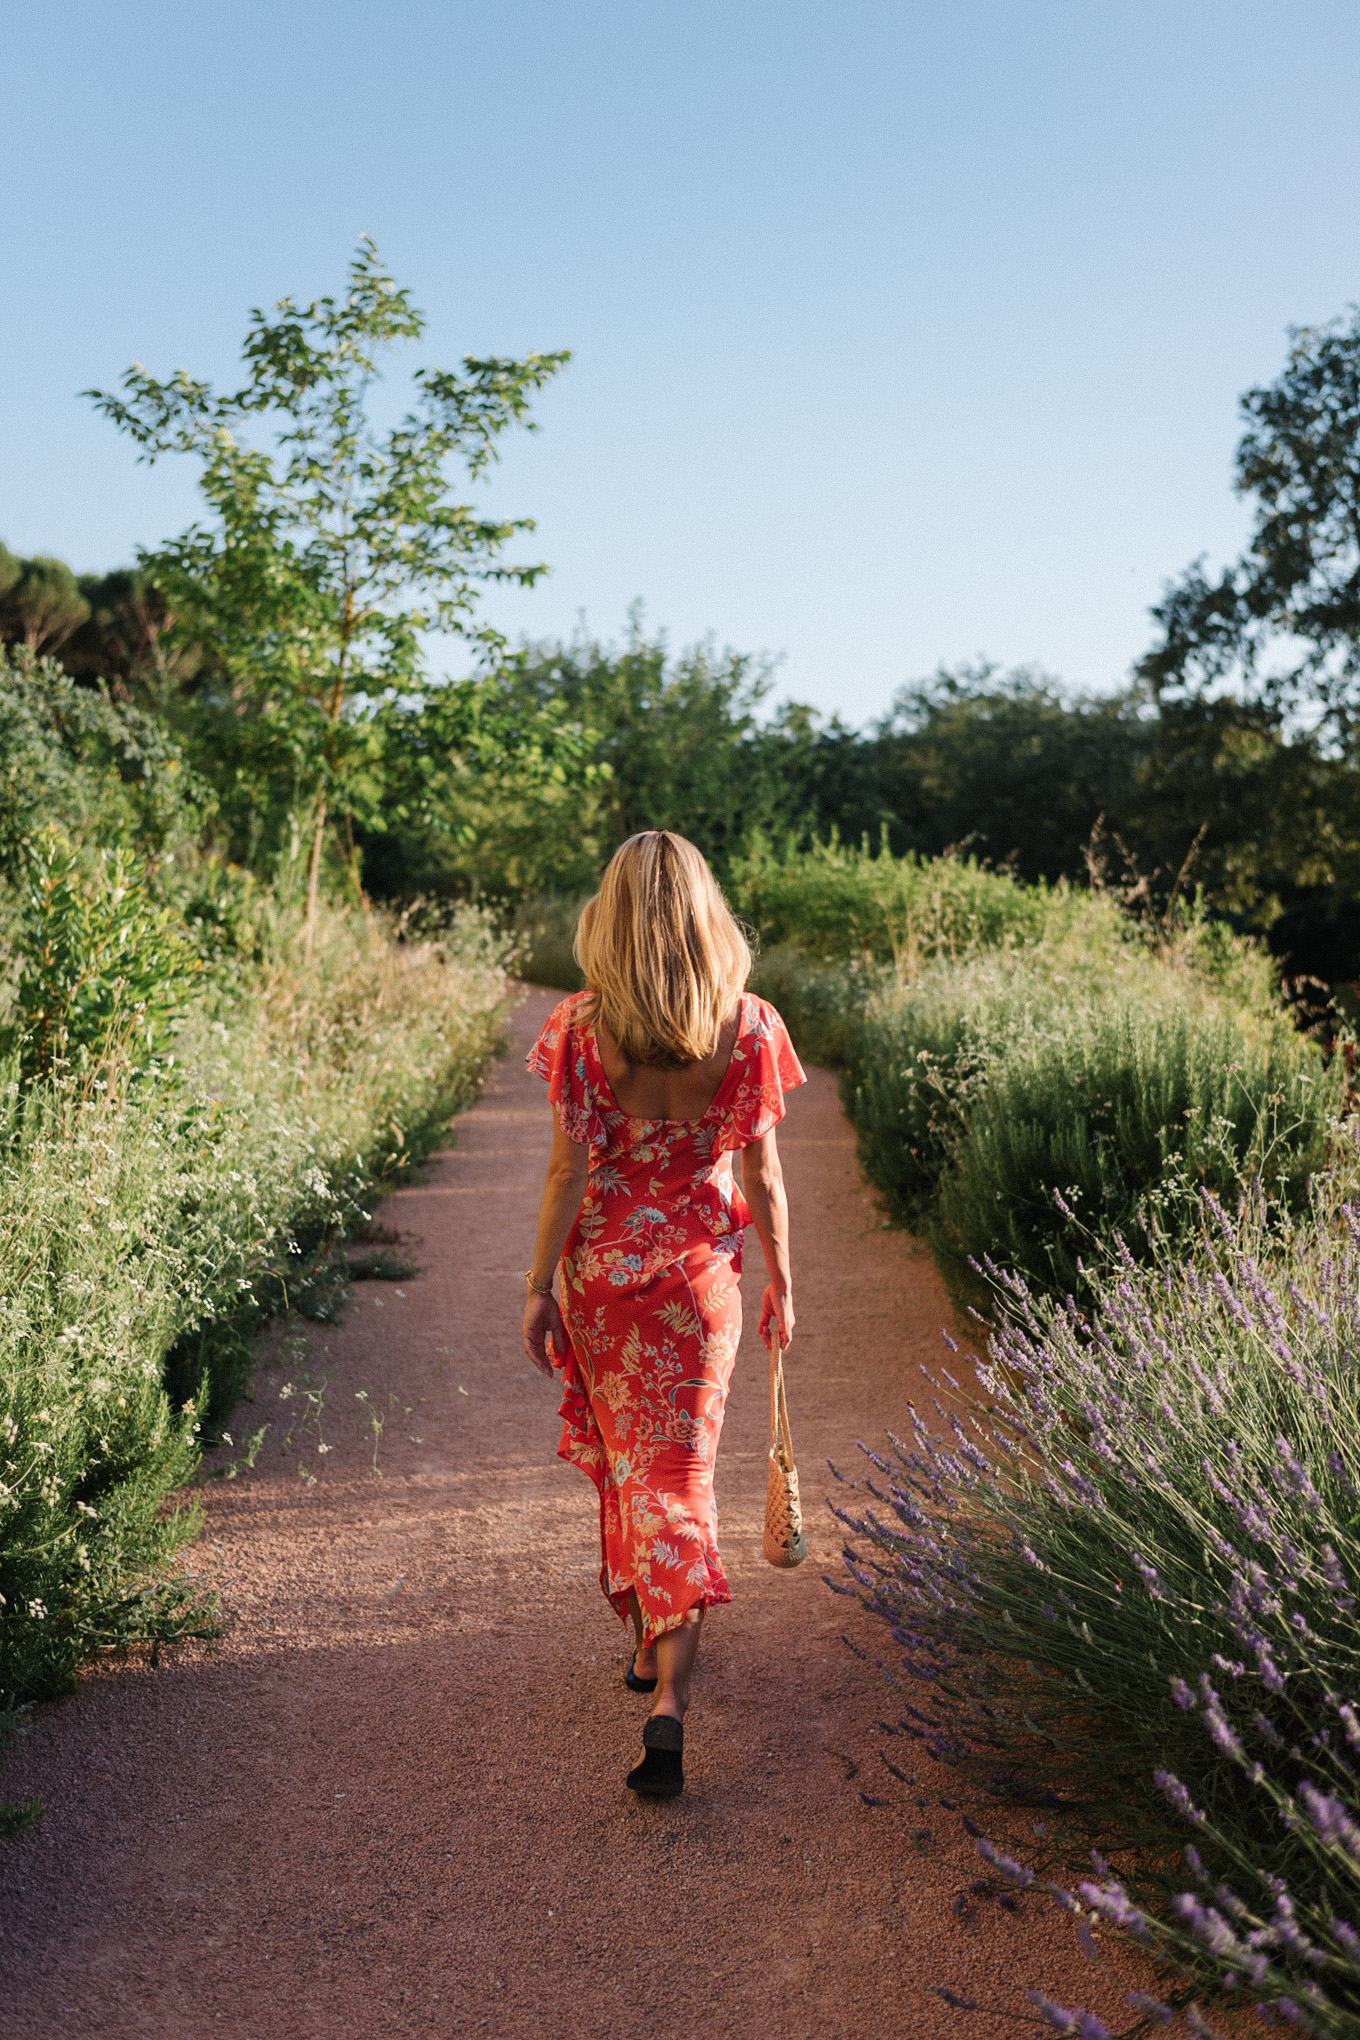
{"type": "Point", "coordinates": [1257, 670]}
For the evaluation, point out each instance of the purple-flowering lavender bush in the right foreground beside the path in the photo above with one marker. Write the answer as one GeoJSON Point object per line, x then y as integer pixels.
{"type": "Point", "coordinates": [1143, 1555]}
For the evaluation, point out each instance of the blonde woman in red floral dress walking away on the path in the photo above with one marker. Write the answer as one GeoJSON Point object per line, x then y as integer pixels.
{"type": "Point", "coordinates": [658, 1072]}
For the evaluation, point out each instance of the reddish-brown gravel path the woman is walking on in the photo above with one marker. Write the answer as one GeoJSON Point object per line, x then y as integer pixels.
{"type": "Point", "coordinates": [393, 1802]}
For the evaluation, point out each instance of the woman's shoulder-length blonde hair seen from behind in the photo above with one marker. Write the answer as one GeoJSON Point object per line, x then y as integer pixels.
{"type": "Point", "coordinates": [660, 952]}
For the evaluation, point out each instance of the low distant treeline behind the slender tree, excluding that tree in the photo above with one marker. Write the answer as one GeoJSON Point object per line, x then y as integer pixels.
{"type": "Point", "coordinates": [1004, 764]}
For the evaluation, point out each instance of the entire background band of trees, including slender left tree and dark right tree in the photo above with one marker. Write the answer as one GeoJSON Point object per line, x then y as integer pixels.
{"type": "Point", "coordinates": [295, 686]}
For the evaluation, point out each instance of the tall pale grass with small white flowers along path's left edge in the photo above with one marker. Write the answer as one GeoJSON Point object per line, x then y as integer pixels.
{"type": "Point", "coordinates": [152, 1219]}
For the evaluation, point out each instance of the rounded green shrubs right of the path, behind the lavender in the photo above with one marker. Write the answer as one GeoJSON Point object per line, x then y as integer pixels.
{"type": "Point", "coordinates": [1000, 1043]}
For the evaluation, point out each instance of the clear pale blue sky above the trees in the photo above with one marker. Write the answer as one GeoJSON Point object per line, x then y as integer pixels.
{"type": "Point", "coordinates": [902, 334]}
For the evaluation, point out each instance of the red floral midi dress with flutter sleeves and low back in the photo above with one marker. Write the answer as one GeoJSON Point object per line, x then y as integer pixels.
{"type": "Point", "coordinates": [653, 1307]}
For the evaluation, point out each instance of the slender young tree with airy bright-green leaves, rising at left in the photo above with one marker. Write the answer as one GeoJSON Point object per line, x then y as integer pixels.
{"type": "Point", "coordinates": [331, 554]}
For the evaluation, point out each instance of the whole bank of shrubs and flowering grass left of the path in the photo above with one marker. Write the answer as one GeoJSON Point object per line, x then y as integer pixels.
{"type": "Point", "coordinates": [193, 1111]}
